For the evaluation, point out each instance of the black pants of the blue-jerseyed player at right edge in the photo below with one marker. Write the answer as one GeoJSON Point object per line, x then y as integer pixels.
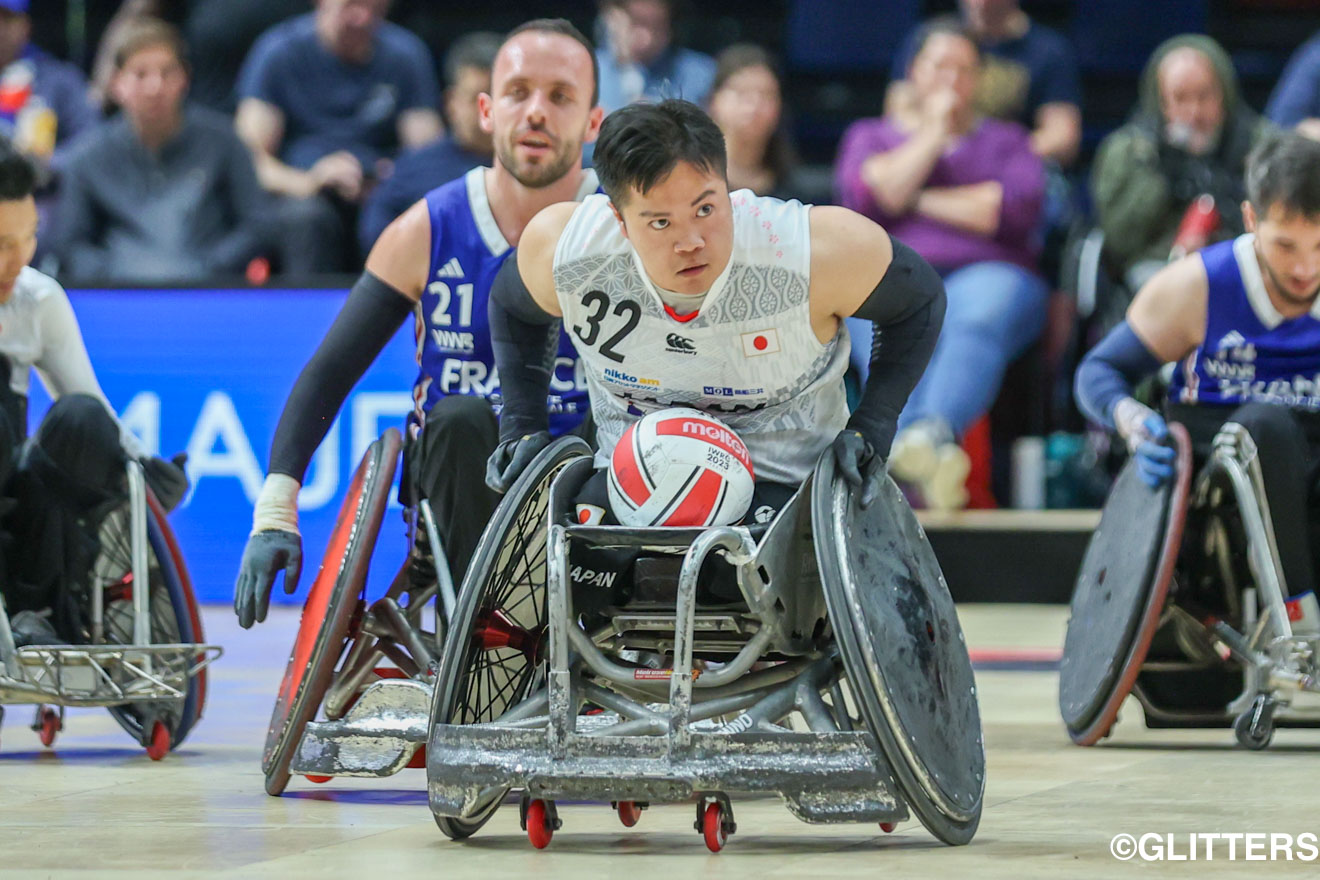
{"type": "Point", "coordinates": [1289, 449]}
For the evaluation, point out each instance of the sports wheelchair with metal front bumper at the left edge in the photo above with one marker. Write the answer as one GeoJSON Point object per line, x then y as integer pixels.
{"type": "Point", "coordinates": [142, 654]}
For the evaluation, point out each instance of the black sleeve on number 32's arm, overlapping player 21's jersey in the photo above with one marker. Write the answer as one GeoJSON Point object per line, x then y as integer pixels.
{"type": "Point", "coordinates": [525, 340]}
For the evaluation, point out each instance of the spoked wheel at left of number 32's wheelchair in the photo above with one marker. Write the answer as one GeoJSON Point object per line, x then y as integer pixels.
{"type": "Point", "coordinates": [494, 652]}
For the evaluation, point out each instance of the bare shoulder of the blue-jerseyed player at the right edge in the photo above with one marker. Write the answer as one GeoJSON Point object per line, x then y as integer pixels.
{"type": "Point", "coordinates": [1169, 312]}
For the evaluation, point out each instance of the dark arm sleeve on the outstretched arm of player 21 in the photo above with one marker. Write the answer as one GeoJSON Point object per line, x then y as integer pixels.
{"type": "Point", "coordinates": [366, 324]}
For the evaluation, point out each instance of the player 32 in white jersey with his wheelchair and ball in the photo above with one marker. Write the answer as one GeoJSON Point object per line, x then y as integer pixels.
{"type": "Point", "coordinates": [711, 329]}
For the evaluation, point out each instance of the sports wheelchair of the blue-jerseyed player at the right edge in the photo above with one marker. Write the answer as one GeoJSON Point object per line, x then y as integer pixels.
{"type": "Point", "coordinates": [1181, 602]}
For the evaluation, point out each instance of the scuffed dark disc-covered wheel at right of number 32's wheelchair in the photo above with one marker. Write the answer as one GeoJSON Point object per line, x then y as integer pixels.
{"type": "Point", "coordinates": [902, 650]}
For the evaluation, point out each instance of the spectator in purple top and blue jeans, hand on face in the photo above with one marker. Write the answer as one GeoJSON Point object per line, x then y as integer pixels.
{"type": "Point", "coordinates": [964, 193]}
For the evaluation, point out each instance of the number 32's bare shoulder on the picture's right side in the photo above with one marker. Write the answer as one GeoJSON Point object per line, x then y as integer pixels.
{"type": "Point", "coordinates": [851, 254]}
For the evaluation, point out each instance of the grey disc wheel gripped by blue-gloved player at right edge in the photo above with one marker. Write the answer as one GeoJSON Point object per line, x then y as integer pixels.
{"type": "Point", "coordinates": [1121, 592]}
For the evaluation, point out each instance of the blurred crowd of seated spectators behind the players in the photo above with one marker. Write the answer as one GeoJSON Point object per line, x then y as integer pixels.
{"type": "Point", "coordinates": [197, 141]}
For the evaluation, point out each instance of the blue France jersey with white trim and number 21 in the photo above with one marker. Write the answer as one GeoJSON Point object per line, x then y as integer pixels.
{"type": "Point", "coordinates": [453, 336]}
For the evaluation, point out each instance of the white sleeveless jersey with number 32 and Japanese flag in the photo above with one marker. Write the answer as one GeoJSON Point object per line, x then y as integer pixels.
{"type": "Point", "coordinates": [749, 357]}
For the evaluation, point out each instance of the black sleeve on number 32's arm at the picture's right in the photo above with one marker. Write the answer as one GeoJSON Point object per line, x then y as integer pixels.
{"type": "Point", "coordinates": [907, 309]}
